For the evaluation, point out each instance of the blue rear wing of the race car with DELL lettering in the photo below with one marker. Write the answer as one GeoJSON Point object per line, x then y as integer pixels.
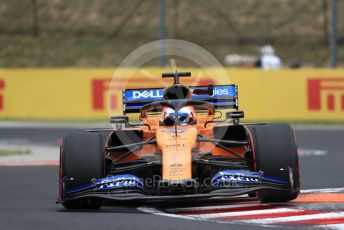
{"type": "Point", "coordinates": [224, 97]}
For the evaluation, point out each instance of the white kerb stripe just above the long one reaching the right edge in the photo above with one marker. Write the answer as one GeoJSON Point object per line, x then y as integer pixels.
{"type": "Point", "coordinates": [244, 213]}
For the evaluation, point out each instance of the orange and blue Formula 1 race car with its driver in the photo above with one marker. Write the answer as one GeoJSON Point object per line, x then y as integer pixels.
{"type": "Point", "coordinates": [180, 151]}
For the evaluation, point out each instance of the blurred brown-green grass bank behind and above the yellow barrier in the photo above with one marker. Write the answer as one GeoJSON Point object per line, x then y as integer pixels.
{"type": "Point", "coordinates": [88, 33]}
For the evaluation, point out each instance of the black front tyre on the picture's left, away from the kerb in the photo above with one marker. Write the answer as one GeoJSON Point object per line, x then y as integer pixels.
{"type": "Point", "coordinates": [81, 160]}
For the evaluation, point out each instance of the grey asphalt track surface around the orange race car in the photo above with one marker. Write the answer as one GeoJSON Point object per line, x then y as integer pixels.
{"type": "Point", "coordinates": [28, 194]}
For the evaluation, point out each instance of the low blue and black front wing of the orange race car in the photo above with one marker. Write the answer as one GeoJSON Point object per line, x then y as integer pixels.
{"type": "Point", "coordinates": [225, 184]}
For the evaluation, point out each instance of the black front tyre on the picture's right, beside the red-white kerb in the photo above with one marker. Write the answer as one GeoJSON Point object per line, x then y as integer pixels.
{"type": "Point", "coordinates": [276, 156]}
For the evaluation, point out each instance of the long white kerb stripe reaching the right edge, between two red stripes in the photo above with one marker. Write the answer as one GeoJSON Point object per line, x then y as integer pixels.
{"type": "Point", "coordinates": [295, 218]}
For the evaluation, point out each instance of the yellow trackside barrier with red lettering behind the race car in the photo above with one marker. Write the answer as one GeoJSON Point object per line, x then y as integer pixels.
{"type": "Point", "coordinates": [87, 94]}
